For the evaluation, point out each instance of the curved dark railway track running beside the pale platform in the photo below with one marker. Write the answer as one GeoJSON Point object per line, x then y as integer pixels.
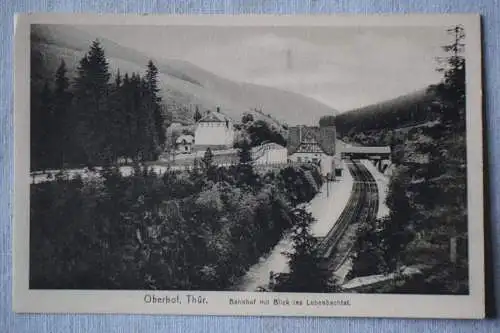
{"type": "Point", "coordinates": [361, 207]}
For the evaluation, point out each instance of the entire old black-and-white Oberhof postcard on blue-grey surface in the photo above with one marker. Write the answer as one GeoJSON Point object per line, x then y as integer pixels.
{"type": "Point", "coordinates": [249, 165]}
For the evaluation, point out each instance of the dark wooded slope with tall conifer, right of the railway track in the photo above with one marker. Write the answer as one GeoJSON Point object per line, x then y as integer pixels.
{"type": "Point", "coordinates": [427, 224]}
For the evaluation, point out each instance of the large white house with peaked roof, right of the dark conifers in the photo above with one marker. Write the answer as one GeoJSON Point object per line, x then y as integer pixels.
{"type": "Point", "coordinates": [214, 130]}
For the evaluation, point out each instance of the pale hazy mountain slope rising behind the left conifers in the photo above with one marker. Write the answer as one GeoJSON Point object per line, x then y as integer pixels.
{"type": "Point", "coordinates": [182, 84]}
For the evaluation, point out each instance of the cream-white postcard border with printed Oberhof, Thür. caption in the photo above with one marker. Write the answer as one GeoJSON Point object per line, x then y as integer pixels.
{"type": "Point", "coordinates": [217, 302]}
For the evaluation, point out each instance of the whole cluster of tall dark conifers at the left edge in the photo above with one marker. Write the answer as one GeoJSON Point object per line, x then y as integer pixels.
{"type": "Point", "coordinates": [94, 120]}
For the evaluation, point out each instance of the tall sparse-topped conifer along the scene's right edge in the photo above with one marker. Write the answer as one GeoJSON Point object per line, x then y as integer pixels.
{"type": "Point", "coordinates": [449, 155]}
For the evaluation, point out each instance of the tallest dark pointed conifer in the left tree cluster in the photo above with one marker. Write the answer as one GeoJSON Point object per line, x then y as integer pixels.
{"type": "Point", "coordinates": [90, 104]}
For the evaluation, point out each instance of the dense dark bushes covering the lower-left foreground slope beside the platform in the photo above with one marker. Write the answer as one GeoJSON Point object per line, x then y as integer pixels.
{"type": "Point", "coordinates": [193, 231]}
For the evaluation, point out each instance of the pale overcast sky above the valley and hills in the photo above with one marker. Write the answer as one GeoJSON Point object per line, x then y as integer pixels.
{"type": "Point", "coordinates": [344, 68]}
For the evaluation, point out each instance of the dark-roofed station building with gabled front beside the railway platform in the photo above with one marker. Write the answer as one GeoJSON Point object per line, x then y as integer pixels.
{"type": "Point", "coordinates": [313, 145]}
